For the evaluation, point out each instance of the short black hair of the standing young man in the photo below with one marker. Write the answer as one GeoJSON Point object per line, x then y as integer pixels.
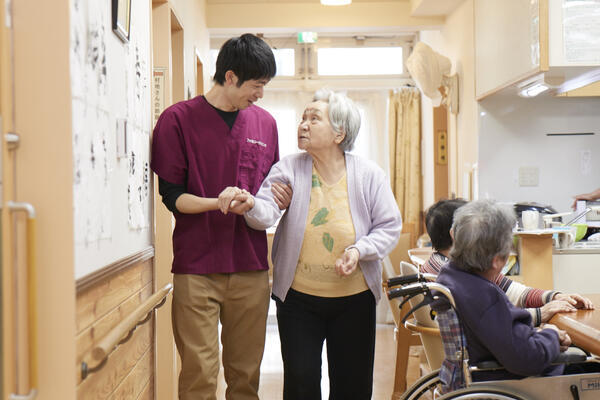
{"type": "Point", "coordinates": [248, 56]}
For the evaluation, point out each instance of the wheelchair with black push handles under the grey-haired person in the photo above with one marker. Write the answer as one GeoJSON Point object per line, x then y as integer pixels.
{"type": "Point", "coordinates": [458, 384]}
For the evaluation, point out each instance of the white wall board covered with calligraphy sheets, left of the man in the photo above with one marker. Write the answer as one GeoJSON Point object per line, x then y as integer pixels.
{"type": "Point", "coordinates": [111, 120]}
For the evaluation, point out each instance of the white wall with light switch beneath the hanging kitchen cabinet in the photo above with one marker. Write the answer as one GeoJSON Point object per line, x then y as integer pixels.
{"type": "Point", "coordinates": [513, 134]}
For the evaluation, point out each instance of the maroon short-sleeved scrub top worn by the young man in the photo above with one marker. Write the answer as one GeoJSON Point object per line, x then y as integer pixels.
{"type": "Point", "coordinates": [193, 146]}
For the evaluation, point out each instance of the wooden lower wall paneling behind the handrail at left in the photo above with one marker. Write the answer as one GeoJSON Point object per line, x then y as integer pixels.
{"type": "Point", "coordinates": [101, 305]}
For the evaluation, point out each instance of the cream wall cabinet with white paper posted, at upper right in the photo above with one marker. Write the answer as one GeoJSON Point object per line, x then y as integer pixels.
{"type": "Point", "coordinates": [524, 42]}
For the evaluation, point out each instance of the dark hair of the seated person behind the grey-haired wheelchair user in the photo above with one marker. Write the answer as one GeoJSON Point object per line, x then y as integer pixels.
{"type": "Point", "coordinates": [438, 222]}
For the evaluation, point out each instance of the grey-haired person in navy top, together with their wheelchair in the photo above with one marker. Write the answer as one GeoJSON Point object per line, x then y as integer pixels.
{"type": "Point", "coordinates": [490, 345]}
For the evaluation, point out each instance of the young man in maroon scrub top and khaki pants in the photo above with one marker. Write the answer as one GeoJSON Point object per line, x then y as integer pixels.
{"type": "Point", "coordinates": [201, 150]}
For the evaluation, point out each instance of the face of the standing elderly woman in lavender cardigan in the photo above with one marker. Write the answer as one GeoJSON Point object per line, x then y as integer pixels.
{"type": "Point", "coordinates": [315, 132]}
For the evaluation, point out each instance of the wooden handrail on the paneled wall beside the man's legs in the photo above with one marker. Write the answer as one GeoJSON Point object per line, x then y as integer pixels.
{"type": "Point", "coordinates": [123, 331]}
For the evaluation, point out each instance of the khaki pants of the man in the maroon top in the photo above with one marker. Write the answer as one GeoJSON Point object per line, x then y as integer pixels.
{"type": "Point", "coordinates": [240, 301]}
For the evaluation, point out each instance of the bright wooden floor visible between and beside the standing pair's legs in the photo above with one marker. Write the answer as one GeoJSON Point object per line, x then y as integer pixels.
{"type": "Point", "coordinates": [271, 379]}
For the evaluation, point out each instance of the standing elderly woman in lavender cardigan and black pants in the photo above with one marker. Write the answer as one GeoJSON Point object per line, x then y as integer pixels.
{"type": "Point", "coordinates": [342, 220]}
